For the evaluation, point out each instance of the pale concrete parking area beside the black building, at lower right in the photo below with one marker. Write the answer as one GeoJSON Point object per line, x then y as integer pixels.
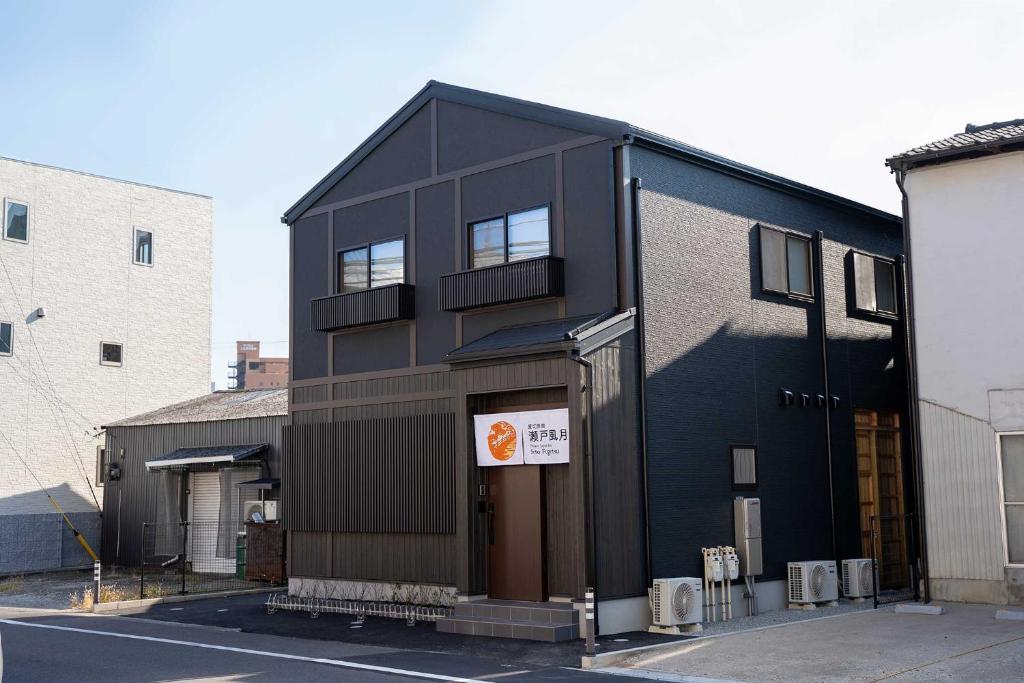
{"type": "Point", "coordinates": [967, 644]}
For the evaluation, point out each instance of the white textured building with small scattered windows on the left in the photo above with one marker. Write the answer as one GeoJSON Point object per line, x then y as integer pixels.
{"type": "Point", "coordinates": [105, 313]}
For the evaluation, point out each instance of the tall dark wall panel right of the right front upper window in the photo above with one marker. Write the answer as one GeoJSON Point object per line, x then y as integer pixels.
{"type": "Point", "coordinates": [590, 230]}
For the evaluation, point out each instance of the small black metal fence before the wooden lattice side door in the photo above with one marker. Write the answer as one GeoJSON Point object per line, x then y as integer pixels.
{"type": "Point", "coordinates": [893, 544]}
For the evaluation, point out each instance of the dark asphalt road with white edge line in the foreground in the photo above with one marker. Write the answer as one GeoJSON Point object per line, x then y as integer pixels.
{"type": "Point", "coordinates": [61, 647]}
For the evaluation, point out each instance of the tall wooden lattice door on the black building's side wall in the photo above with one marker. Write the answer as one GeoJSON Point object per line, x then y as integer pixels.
{"type": "Point", "coordinates": [880, 473]}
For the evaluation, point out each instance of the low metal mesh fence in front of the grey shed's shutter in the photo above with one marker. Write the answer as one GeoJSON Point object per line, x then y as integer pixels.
{"type": "Point", "coordinates": [209, 557]}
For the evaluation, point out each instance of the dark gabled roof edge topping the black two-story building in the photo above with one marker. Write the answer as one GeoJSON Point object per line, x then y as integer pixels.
{"type": "Point", "coordinates": [586, 124]}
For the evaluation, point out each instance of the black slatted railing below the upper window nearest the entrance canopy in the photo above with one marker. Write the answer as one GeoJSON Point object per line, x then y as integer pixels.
{"type": "Point", "coordinates": [505, 283]}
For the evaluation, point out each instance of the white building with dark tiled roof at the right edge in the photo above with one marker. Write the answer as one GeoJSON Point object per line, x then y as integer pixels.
{"type": "Point", "coordinates": [964, 214]}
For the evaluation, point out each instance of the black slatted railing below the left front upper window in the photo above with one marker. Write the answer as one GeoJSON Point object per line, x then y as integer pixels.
{"type": "Point", "coordinates": [380, 305]}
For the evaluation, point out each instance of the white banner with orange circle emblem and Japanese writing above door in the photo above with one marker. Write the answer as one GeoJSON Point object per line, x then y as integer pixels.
{"type": "Point", "coordinates": [534, 438]}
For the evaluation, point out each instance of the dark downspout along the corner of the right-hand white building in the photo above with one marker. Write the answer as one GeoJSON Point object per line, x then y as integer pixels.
{"type": "Point", "coordinates": [912, 382]}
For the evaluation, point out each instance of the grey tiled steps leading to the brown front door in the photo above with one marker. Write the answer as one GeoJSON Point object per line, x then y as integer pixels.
{"type": "Point", "coordinates": [549, 622]}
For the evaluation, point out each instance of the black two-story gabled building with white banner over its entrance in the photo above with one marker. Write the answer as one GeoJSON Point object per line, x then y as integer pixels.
{"type": "Point", "coordinates": [712, 331]}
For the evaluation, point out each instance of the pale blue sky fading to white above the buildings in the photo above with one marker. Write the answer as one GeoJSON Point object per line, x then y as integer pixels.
{"type": "Point", "coordinates": [252, 103]}
